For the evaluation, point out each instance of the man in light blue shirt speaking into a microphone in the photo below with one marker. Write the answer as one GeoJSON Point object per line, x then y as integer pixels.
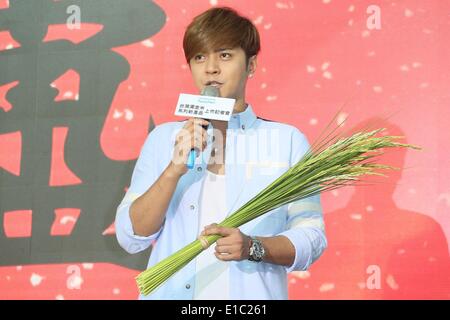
{"type": "Point", "coordinates": [168, 205]}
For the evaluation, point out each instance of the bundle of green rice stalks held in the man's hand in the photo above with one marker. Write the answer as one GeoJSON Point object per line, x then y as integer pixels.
{"type": "Point", "coordinates": [333, 162]}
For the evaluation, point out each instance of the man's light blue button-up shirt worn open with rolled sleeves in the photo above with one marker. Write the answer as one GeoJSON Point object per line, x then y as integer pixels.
{"type": "Point", "coordinates": [257, 152]}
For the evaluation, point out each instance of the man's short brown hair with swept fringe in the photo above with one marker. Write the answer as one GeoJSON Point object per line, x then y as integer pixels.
{"type": "Point", "coordinates": [219, 28]}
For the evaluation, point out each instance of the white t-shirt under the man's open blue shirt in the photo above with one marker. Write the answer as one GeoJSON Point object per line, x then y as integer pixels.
{"type": "Point", "coordinates": [212, 280]}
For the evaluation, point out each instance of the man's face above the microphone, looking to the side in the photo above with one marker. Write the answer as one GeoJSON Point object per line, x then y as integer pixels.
{"type": "Point", "coordinates": [225, 69]}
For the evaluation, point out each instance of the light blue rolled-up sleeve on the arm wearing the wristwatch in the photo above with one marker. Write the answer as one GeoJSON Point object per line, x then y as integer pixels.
{"type": "Point", "coordinates": [305, 225]}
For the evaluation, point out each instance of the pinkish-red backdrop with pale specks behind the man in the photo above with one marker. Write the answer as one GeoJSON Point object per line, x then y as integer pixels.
{"type": "Point", "coordinates": [387, 241]}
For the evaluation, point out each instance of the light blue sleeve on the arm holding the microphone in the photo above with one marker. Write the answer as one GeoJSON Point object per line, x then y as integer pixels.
{"type": "Point", "coordinates": [146, 171]}
